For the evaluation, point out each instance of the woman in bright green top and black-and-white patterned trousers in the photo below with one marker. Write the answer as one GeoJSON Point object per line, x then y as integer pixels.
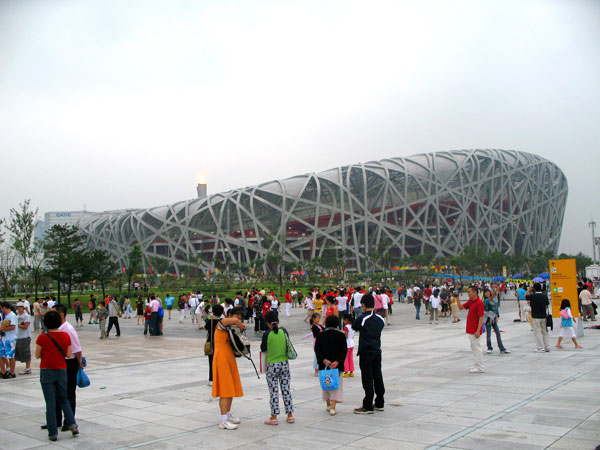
{"type": "Point", "coordinates": [278, 369]}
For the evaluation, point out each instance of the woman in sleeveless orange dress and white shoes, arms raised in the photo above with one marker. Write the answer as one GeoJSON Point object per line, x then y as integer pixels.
{"type": "Point", "coordinates": [226, 378]}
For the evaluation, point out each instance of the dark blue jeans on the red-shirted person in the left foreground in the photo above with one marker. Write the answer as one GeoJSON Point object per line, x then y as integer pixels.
{"type": "Point", "coordinates": [54, 387]}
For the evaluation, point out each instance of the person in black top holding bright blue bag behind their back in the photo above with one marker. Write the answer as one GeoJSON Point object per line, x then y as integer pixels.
{"type": "Point", "coordinates": [331, 351]}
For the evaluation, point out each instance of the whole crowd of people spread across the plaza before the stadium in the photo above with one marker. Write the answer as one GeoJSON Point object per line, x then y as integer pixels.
{"type": "Point", "coordinates": [333, 316]}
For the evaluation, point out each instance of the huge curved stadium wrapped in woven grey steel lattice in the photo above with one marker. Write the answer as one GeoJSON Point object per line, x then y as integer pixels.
{"type": "Point", "coordinates": [509, 201]}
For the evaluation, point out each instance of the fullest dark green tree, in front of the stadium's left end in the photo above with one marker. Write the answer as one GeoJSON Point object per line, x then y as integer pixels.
{"type": "Point", "coordinates": [67, 259]}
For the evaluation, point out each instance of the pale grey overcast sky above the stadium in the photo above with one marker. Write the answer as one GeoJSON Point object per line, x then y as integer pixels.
{"type": "Point", "coordinates": [114, 104]}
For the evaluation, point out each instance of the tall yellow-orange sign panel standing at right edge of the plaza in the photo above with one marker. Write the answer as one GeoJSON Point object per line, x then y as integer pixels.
{"type": "Point", "coordinates": [563, 285]}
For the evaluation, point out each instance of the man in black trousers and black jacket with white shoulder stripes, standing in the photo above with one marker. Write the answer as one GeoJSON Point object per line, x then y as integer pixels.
{"type": "Point", "coordinates": [370, 325]}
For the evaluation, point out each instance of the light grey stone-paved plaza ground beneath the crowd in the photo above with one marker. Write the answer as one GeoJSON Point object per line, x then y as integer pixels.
{"type": "Point", "coordinates": [151, 393]}
